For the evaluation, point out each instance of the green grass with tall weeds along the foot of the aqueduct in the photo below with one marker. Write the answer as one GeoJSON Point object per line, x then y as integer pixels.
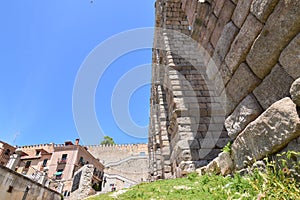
{"type": "Point", "coordinates": [277, 182]}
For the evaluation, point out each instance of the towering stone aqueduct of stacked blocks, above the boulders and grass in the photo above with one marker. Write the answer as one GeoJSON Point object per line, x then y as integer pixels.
{"type": "Point", "coordinates": [216, 64]}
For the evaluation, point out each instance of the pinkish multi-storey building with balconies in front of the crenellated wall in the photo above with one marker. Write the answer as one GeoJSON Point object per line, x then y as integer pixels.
{"type": "Point", "coordinates": [60, 162]}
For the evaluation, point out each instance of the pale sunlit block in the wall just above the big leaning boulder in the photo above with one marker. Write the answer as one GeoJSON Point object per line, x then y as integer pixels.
{"type": "Point", "coordinates": [245, 113]}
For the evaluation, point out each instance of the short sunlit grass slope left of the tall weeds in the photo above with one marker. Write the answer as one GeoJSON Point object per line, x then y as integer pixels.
{"type": "Point", "coordinates": [204, 187]}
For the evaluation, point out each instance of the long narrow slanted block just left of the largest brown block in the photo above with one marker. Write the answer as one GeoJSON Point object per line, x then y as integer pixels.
{"type": "Point", "coordinates": [243, 42]}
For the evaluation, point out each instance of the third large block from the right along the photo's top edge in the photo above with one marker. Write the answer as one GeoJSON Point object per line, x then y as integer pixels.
{"type": "Point", "coordinates": [240, 12]}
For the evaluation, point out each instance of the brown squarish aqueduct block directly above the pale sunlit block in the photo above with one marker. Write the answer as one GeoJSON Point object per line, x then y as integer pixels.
{"type": "Point", "coordinates": [242, 83]}
